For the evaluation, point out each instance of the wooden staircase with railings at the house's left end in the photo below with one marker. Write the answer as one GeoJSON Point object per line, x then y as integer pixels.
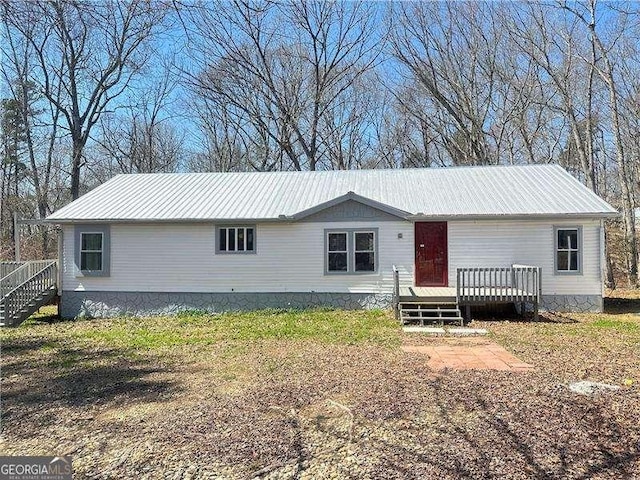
{"type": "Point", "coordinates": [25, 289]}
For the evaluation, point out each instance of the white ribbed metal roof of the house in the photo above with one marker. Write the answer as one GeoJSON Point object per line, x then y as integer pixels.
{"type": "Point", "coordinates": [460, 192]}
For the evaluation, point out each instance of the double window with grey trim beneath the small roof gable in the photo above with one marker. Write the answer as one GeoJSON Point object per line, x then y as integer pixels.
{"type": "Point", "coordinates": [350, 251]}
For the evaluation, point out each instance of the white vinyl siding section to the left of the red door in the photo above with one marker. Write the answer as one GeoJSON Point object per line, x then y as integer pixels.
{"type": "Point", "coordinates": [289, 258]}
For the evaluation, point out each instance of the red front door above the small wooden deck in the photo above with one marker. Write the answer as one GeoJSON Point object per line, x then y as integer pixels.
{"type": "Point", "coordinates": [431, 254]}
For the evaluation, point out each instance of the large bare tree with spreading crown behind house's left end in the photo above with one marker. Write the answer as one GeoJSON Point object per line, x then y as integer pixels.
{"type": "Point", "coordinates": [86, 53]}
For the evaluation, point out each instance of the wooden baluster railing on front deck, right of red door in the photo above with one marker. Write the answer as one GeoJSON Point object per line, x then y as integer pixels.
{"type": "Point", "coordinates": [518, 283]}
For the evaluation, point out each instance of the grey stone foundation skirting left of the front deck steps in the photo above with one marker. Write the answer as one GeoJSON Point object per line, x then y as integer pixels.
{"type": "Point", "coordinates": [114, 304]}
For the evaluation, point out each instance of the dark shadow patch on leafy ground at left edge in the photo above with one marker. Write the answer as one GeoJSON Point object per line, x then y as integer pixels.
{"type": "Point", "coordinates": [40, 376]}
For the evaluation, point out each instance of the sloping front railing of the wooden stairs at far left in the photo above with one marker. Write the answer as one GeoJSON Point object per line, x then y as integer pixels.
{"type": "Point", "coordinates": [41, 280]}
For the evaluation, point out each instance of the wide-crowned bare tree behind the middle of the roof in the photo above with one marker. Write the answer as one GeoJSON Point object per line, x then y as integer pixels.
{"type": "Point", "coordinates": [282, 69]}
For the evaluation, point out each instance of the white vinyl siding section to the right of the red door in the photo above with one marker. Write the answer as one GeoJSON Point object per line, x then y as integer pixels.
{"type": "Point", "coordinates": [503, 243]}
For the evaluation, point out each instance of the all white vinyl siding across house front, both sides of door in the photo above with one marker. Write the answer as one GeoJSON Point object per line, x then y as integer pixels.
{"type": "Point", "coordinates": [291, 257]}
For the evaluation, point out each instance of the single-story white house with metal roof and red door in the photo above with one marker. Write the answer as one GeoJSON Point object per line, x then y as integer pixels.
{"type": "Point", "coordinates": [161, 243]}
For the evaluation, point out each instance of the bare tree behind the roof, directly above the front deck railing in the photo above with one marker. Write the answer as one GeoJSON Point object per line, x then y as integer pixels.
{"type": "Point", "coordinates": [451, 51]}
